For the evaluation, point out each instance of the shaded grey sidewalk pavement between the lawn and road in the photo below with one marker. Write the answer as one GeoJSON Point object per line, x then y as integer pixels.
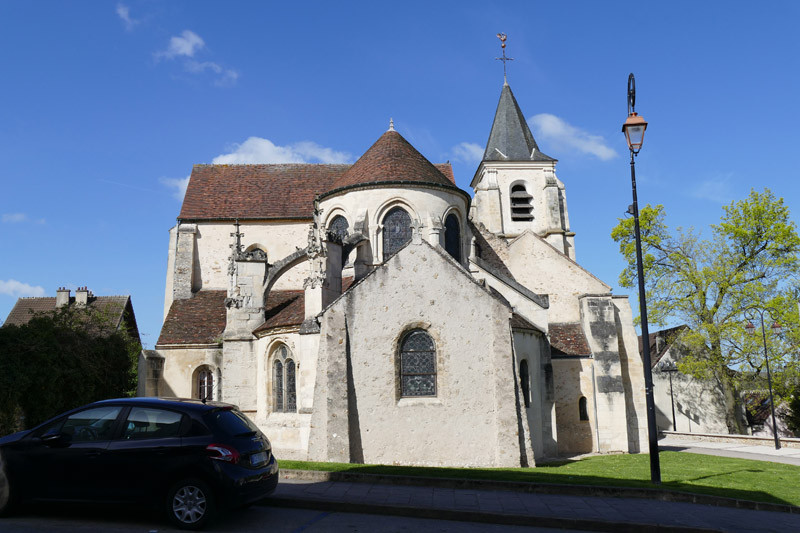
{"type": "Point", "coordinates": [577, 512]}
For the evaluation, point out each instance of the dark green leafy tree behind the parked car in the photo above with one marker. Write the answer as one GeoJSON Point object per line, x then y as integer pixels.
{"type": "Point", "coordinates": [61, 360]}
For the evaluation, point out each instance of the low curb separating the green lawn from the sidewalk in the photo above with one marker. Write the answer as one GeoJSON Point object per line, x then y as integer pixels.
{"type": "Point", "coordinates": [541, 488]}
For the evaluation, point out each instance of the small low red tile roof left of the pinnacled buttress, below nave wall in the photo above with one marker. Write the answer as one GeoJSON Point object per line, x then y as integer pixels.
{"type": "Point", "coordinates": [196, 320]}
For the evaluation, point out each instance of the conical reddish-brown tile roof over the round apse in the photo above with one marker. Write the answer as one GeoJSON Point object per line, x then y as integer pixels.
{"type": "Point", "coordinates": [392, 160]}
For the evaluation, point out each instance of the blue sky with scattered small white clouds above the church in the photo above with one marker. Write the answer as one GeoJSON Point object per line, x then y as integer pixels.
{"type": "Point", "coordinates": [105, 107]}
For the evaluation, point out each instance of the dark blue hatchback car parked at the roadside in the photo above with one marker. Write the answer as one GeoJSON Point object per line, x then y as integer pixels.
{"type": "Point", "coordinates": [186, 456]}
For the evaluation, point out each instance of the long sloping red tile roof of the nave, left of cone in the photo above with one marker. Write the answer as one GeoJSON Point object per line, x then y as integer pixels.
{"type": "Point", "coordinates": [256, 191]}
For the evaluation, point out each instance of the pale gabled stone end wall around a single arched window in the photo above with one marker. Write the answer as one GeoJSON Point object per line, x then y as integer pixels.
{"type": "Point", "coordinates": [472, 419]}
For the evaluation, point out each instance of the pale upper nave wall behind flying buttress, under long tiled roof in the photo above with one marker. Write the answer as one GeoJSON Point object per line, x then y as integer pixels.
{"type": "Point", "coordinates": [279, 239]}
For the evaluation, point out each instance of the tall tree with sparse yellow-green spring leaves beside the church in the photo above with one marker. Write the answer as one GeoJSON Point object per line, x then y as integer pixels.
{"type": "Point", "coordinates": [751, 259]}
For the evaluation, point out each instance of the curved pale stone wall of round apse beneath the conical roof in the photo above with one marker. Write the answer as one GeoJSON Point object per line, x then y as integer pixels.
{"type": "Point", "coordinates": [365, 208]}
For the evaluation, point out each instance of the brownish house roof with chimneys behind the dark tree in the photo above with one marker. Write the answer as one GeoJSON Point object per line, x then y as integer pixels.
{"type": "Point", "coordinates": [116, 308]}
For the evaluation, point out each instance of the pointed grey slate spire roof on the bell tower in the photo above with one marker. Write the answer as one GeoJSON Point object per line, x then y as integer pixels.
{"type": "Point", "coordinates": [511, 138]}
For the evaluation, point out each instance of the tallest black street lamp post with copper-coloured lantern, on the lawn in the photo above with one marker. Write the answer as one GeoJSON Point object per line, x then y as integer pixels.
{"type": "Point", "coordinates": [634, 133]}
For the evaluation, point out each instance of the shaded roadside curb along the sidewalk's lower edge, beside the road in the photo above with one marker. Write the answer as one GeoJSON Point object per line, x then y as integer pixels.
{"type": "Point", "coordinates": [480, 517]}
